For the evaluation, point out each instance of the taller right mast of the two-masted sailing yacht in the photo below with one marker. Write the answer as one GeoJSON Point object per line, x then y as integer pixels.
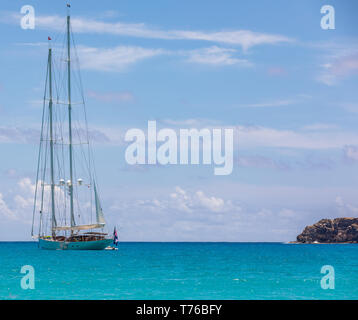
{"type": "Point", "coordinates": [69, 118]}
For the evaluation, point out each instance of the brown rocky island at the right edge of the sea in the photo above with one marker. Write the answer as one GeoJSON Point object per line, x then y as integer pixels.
{"type": "Point", "coordinates": [339, 230]}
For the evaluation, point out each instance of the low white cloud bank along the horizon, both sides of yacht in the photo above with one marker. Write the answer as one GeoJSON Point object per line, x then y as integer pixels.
{"type": "Point", "coordinates": [203, 213]}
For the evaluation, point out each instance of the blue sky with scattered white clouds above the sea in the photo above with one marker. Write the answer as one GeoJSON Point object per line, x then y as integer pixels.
{"type": "Point", "coordinates": [265, 68]}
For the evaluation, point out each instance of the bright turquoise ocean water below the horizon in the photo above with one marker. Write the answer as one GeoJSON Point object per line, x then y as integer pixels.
{"type": "Point", "coordinates": [181, 271]}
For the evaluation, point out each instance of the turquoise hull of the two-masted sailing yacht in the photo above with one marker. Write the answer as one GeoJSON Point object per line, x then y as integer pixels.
{"type": "Point", "coordinates": [80, 245]}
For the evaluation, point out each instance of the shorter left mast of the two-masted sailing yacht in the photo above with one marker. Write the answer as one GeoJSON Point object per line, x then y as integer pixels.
{"type": "Point", "coordinates": [53, 217]}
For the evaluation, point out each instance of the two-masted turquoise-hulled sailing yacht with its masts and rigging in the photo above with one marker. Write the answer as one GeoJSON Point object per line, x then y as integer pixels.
{"type": "Point", "coordinates": [67, 209]}
